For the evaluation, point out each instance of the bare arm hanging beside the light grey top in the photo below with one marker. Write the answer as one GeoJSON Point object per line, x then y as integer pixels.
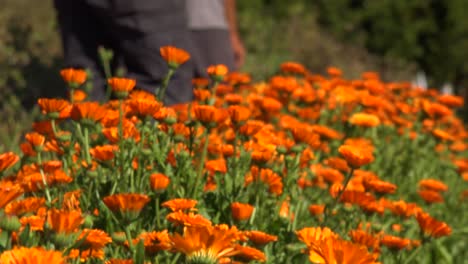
{"type": "Point", "coordinates": [237, 45]}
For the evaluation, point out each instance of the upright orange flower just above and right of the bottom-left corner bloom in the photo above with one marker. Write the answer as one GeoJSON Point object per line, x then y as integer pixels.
{"type": "Point", "coordinates": [62, 221]}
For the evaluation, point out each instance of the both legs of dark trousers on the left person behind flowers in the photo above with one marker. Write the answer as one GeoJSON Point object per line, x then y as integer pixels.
{"type": "Point", "coordinates": [134, 30]}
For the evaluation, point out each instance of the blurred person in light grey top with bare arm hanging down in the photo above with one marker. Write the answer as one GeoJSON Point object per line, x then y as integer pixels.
{"type": "Point", "coordinates": [214, 34]}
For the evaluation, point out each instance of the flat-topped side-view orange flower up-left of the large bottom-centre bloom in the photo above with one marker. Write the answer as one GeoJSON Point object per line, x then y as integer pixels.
{"type": "Point", "coordinates": [126, 202]}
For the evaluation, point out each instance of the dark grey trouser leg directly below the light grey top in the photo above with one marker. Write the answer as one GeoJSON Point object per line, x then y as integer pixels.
{"type": "Point", "coordinates": [212, 46]}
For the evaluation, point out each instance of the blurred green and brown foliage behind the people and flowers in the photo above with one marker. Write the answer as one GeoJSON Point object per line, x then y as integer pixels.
{"type": "Point", "coordinates": [398, 39]}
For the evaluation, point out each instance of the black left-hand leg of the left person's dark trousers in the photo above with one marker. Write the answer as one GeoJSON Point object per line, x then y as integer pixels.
{"type": "Point", "coordinates": [81, 35]}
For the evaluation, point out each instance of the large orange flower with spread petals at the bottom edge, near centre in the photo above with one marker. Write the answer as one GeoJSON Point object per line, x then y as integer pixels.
{"type": "Point", "coordinates": [205, 244]}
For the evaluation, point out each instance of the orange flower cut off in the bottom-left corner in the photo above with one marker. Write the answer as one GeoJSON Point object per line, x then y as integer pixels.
{"type": "Point", "coordinates": [25, 255]}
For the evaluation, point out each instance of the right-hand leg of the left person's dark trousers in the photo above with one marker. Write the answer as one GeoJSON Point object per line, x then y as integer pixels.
{"type": "Point", "coordinates": [140, 28]}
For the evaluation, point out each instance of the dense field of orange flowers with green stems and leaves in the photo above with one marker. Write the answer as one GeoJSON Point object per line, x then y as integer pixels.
{"type": "Point", "coordinates": [300, 168]}
